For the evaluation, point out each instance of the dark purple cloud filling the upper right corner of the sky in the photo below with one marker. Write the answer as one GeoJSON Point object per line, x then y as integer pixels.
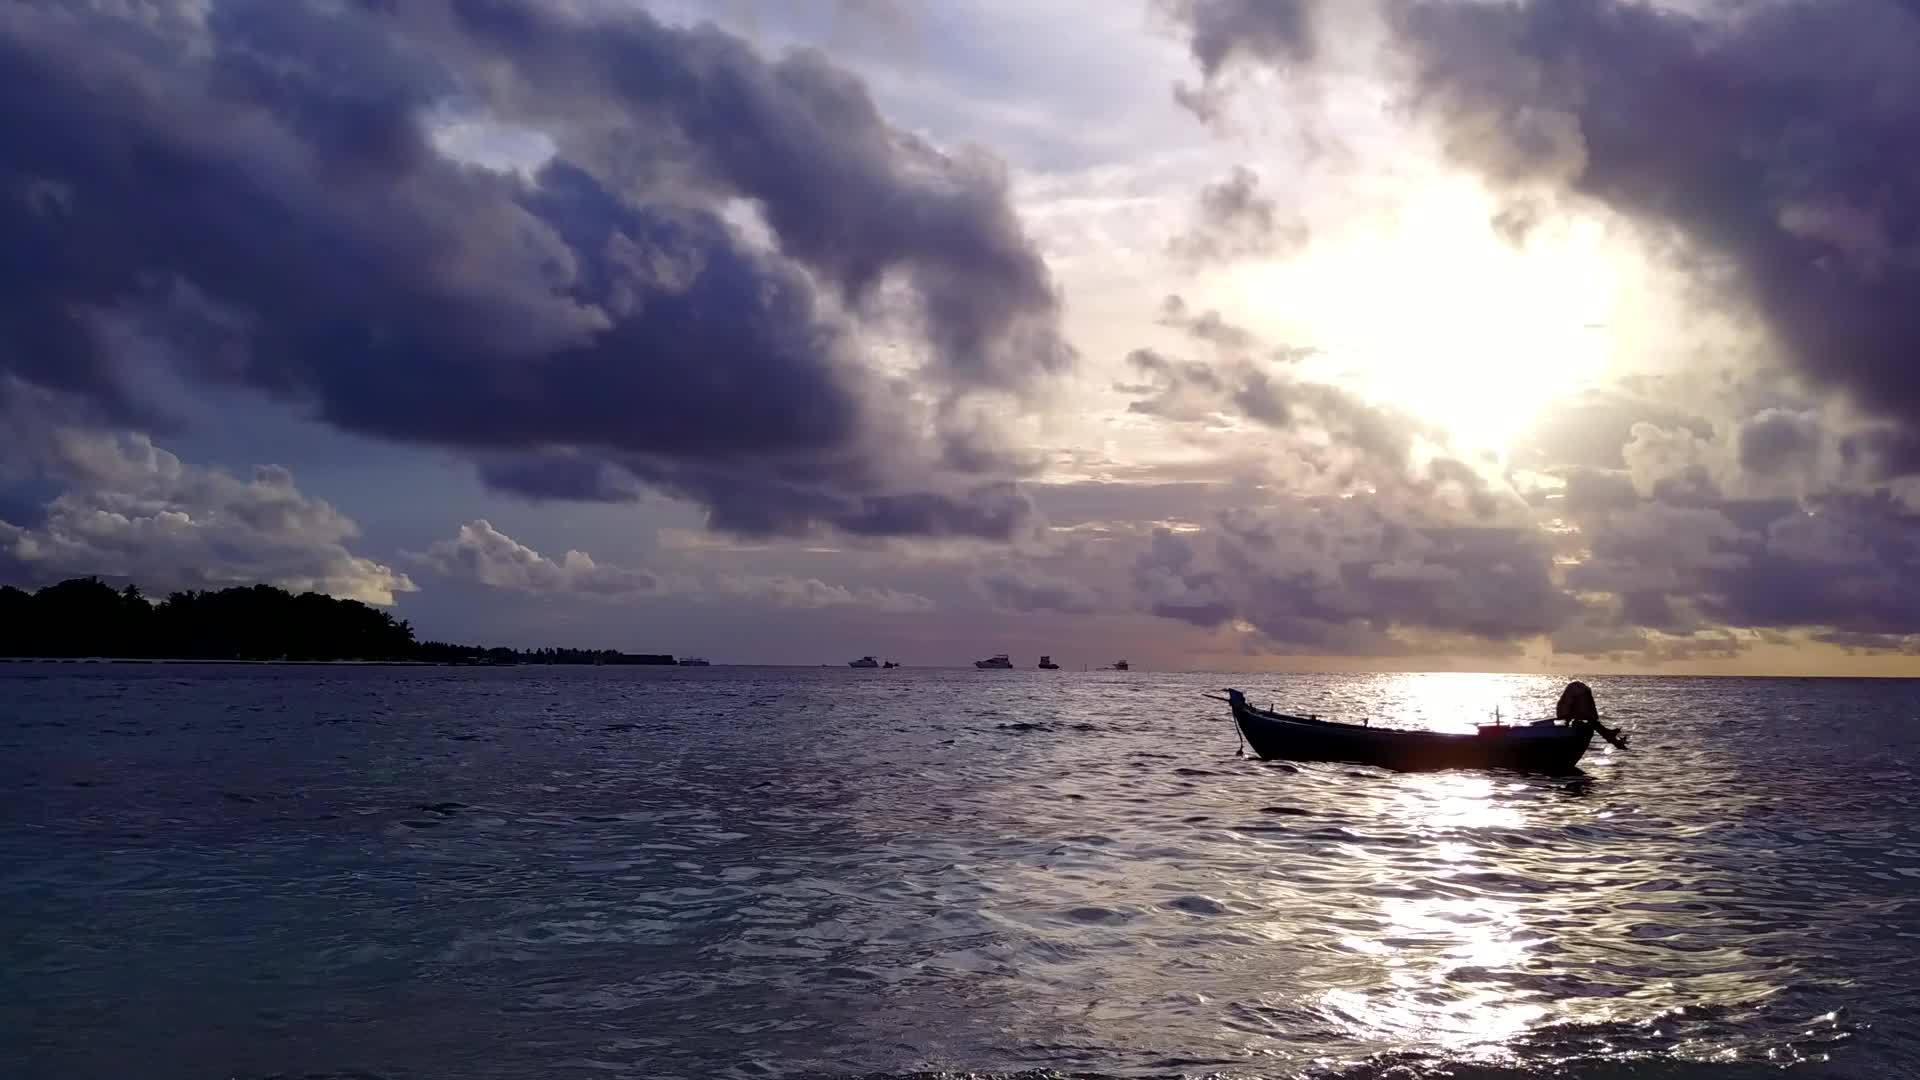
{"type": "Point", "coordinates": [1775, 139]}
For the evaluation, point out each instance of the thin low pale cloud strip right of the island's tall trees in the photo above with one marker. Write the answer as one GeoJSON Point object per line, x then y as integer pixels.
{"type": "Point", "coordinates": [489, 556]}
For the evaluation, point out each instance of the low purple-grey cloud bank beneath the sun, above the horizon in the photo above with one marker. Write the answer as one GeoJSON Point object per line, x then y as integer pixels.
{"type": "Point", "coordinates": [1689, 549]}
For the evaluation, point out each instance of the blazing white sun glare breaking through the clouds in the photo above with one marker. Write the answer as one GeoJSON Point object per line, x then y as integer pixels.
{"type": "Point", "coordinates": [1437, 314]}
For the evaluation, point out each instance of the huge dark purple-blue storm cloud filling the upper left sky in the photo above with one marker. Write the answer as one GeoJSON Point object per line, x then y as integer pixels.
{"type": "Point", "coordinates": [264, 197]}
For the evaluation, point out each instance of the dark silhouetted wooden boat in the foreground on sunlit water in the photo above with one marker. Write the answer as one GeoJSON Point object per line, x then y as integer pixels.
{"type": "Point", "coordinates": [1545, 747]}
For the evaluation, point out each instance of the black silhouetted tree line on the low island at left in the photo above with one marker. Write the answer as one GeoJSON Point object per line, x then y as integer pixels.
{"type": "Point", "coordinates": [87, 618]}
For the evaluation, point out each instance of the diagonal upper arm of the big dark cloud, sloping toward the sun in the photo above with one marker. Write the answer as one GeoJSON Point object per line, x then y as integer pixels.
{"type": "Point", "coordinates": [850, 195]}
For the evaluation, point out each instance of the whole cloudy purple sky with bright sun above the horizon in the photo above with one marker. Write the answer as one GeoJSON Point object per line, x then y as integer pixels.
{"type": "Point", "coordinates": [1247, 335]}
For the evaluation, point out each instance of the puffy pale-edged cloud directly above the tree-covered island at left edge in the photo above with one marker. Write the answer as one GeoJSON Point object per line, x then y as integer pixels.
{"type": "Point", "coordinates": [132, 510]}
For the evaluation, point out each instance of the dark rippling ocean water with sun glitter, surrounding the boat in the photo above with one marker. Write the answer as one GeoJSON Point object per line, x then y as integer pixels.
{"type": "Point", "coordinates": [765, 873]}
